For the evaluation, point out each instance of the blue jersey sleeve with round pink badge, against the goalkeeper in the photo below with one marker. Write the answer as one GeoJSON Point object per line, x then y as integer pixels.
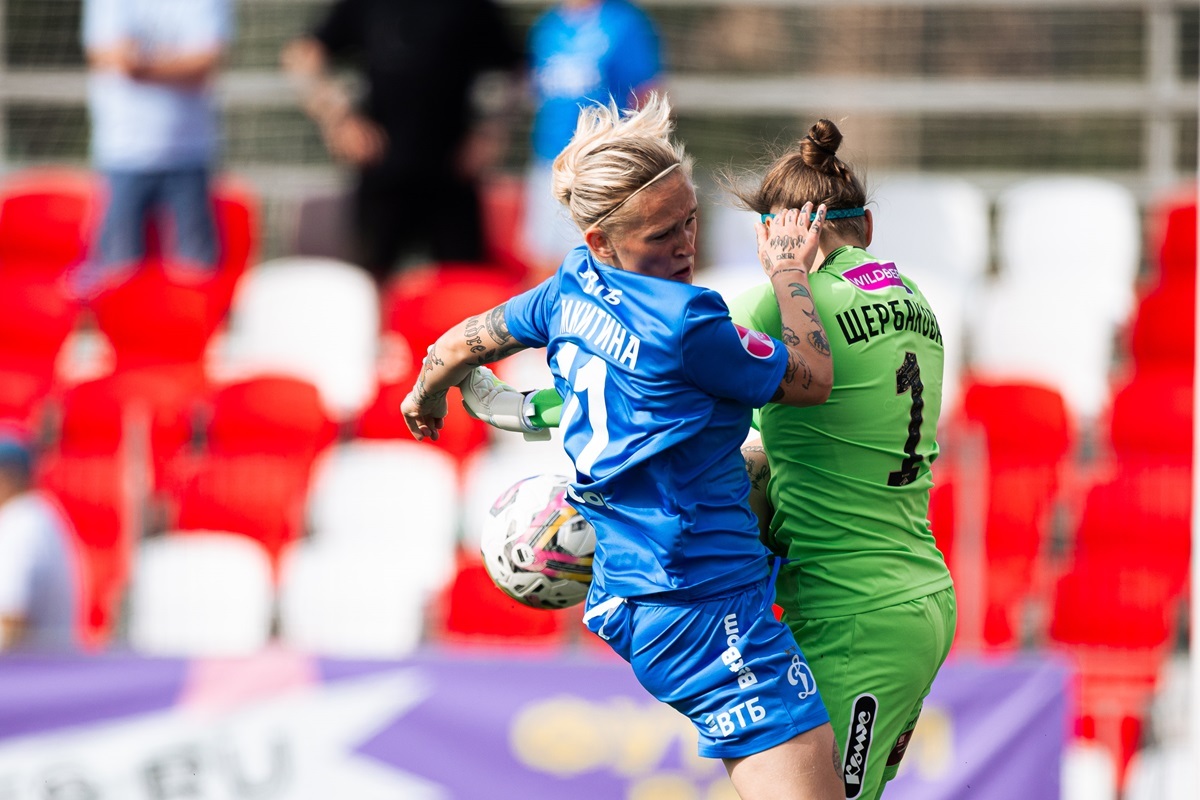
{"type": "Point", "coordinates": [729, 360]}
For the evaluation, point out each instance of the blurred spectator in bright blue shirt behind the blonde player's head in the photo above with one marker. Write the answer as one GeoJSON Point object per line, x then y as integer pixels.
{"type": "Point", "coordinates": [581, 52]}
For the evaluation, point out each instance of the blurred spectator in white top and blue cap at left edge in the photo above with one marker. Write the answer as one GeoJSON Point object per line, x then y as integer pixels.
{"type": "Point", "coordinates": [39, 575]}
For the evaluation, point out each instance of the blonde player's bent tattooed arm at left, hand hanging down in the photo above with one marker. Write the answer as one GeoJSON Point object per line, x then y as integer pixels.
{"type": "Point", "coordinates": [473, 342]}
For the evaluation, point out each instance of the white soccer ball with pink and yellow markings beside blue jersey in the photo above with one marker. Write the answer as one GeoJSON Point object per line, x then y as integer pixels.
{"type": "Point", "coordinates": [538, 549]}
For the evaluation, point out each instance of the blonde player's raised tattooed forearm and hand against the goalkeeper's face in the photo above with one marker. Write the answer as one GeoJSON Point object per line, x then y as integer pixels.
{"type": "Point", "coordinates": [788, 250]}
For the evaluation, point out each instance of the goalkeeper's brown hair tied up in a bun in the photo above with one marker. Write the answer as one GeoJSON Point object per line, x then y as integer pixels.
{"type": "Point", "coordinates": [809, 172]}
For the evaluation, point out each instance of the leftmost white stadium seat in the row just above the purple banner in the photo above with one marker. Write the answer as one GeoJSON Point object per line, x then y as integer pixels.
{"type": "Point", "coordinates": [201, 594]}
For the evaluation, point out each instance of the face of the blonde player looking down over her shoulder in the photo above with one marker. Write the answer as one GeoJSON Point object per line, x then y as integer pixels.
{"type": "Point", "coordinates": [661, 238]}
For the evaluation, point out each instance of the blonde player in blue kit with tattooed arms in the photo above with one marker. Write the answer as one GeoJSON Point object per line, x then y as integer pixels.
{"type": "Point", "coordinates": [659, 388]}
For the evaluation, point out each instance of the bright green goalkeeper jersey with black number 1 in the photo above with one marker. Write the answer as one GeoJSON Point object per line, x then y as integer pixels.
{"type": "Point", "coordinates": [850, 479]}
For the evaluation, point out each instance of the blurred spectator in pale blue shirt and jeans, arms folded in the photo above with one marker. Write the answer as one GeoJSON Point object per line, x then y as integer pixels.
{"type": "Point", "coordinates": [155, 133]}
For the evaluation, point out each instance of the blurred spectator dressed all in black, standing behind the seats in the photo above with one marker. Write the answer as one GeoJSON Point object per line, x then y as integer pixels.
{"type": "Point", "coordinates": [415, 140]}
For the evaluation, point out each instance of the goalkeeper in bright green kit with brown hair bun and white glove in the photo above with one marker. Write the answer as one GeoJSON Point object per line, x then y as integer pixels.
{"type": "Point", "coordinates": [842, 489]}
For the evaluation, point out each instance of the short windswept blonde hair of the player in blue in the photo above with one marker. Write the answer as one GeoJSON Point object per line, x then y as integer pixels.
{"type": "Point", "coordinates": [613, 157]}
